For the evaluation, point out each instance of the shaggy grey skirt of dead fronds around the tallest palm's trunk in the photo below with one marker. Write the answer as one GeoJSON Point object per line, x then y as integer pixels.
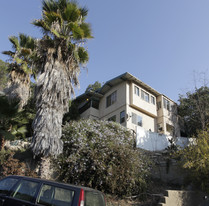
{"type": "Point", "coordinates": [52, 101]}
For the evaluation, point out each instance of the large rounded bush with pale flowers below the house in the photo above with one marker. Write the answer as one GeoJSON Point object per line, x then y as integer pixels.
{"type": "Point", "coordinates": [100, 154]}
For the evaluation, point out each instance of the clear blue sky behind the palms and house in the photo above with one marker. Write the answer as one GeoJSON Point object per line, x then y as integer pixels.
{"type": "Point", "coordinates": [161, 42]}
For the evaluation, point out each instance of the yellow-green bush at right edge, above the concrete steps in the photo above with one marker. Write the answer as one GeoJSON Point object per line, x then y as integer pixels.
{"type": "Point", "coordinates": [195, 158]}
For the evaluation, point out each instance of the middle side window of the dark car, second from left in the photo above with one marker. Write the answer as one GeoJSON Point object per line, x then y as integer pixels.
{"type": "Point", "coordinates": [26, 190]}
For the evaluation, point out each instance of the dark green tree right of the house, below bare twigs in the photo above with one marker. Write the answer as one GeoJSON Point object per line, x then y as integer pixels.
{"type": "Point", "coordinates": [194, 110]}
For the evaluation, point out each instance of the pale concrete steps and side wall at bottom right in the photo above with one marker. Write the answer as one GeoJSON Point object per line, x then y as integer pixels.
{"type": "Point", "coordinates": [183, 198]}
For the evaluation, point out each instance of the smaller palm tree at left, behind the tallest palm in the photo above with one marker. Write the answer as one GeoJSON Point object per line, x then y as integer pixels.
{"type": "Point", "coordinates": [20, 71]}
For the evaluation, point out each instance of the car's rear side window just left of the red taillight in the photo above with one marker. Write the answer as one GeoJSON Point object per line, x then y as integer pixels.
{"type": "Point", "coordinates": [55, 196]}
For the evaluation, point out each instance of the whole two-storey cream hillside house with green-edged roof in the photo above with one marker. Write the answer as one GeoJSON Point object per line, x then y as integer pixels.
{"type": "Point", "coordinates": [132, 103]}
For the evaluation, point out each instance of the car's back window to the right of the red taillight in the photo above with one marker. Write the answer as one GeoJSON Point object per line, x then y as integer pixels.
{"type": "Point", "coordinates": [94, 199]}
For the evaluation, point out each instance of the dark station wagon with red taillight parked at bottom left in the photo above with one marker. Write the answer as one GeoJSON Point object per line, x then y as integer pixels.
{"type": "Point", "coordinates": [27, 191]}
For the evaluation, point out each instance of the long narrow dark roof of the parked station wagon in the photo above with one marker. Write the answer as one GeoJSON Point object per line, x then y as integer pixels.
{"type": "Point", "coordinates": [54, 182]}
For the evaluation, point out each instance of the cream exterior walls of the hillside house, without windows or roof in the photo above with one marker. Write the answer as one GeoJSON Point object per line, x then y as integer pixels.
{"type": "Point", "coordinates": [153, 114]}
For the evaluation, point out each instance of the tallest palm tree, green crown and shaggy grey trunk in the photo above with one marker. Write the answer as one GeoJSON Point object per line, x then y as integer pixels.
{"type": "Point", "coordinates": [61, 53]}
